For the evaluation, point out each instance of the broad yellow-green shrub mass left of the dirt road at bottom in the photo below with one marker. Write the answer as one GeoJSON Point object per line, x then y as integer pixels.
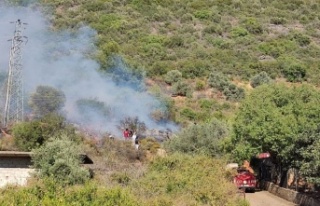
{"type": "Point", "coordinates": [179, 179]}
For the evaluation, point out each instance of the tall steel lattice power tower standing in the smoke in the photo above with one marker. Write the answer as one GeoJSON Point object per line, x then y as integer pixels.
{"type": "Point", "coordinates": [13, 111]}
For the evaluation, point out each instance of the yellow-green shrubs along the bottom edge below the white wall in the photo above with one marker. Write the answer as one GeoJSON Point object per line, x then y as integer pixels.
{"type": "Point", "coordinates": [47, 192]}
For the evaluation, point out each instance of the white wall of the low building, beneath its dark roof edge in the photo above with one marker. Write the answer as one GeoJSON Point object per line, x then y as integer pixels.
{"type": "Point", "coordinates": [15, 170]}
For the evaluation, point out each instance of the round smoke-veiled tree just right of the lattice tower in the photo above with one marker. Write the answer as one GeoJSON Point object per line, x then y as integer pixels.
{"type": "Point", "coordinates": [46, 100]}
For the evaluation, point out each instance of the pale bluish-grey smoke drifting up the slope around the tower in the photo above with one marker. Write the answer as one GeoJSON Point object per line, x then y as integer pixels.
{"type": "Point", "coordinates": [61, 59]}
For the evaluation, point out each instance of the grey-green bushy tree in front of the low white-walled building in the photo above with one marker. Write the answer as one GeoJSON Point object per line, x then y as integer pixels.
{"type": "Point", "coordinates": [60, 159]}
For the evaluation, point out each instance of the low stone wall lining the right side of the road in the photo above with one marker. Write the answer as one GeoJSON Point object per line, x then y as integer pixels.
{"type": "Point", "coordinates": [290, 195]}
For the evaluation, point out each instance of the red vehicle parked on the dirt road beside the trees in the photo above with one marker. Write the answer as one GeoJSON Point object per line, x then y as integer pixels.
{"type": "Point", "coordinates": [245, 180]}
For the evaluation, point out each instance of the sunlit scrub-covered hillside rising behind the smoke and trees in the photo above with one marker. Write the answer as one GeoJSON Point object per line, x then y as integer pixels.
{"type": "Point", "coordinates": [239, 39]}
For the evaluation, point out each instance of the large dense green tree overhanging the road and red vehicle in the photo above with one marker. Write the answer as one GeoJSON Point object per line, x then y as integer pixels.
{"type": "Point", "coordinates": [281, 120]}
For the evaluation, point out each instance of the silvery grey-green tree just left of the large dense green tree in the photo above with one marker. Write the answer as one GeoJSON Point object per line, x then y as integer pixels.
{"type": "Point", "coordinates": [200, 138]}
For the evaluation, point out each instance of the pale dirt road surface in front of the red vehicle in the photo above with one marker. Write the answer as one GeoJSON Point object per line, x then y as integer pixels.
{"type": "Point", "coordinates": [264, 198]}
